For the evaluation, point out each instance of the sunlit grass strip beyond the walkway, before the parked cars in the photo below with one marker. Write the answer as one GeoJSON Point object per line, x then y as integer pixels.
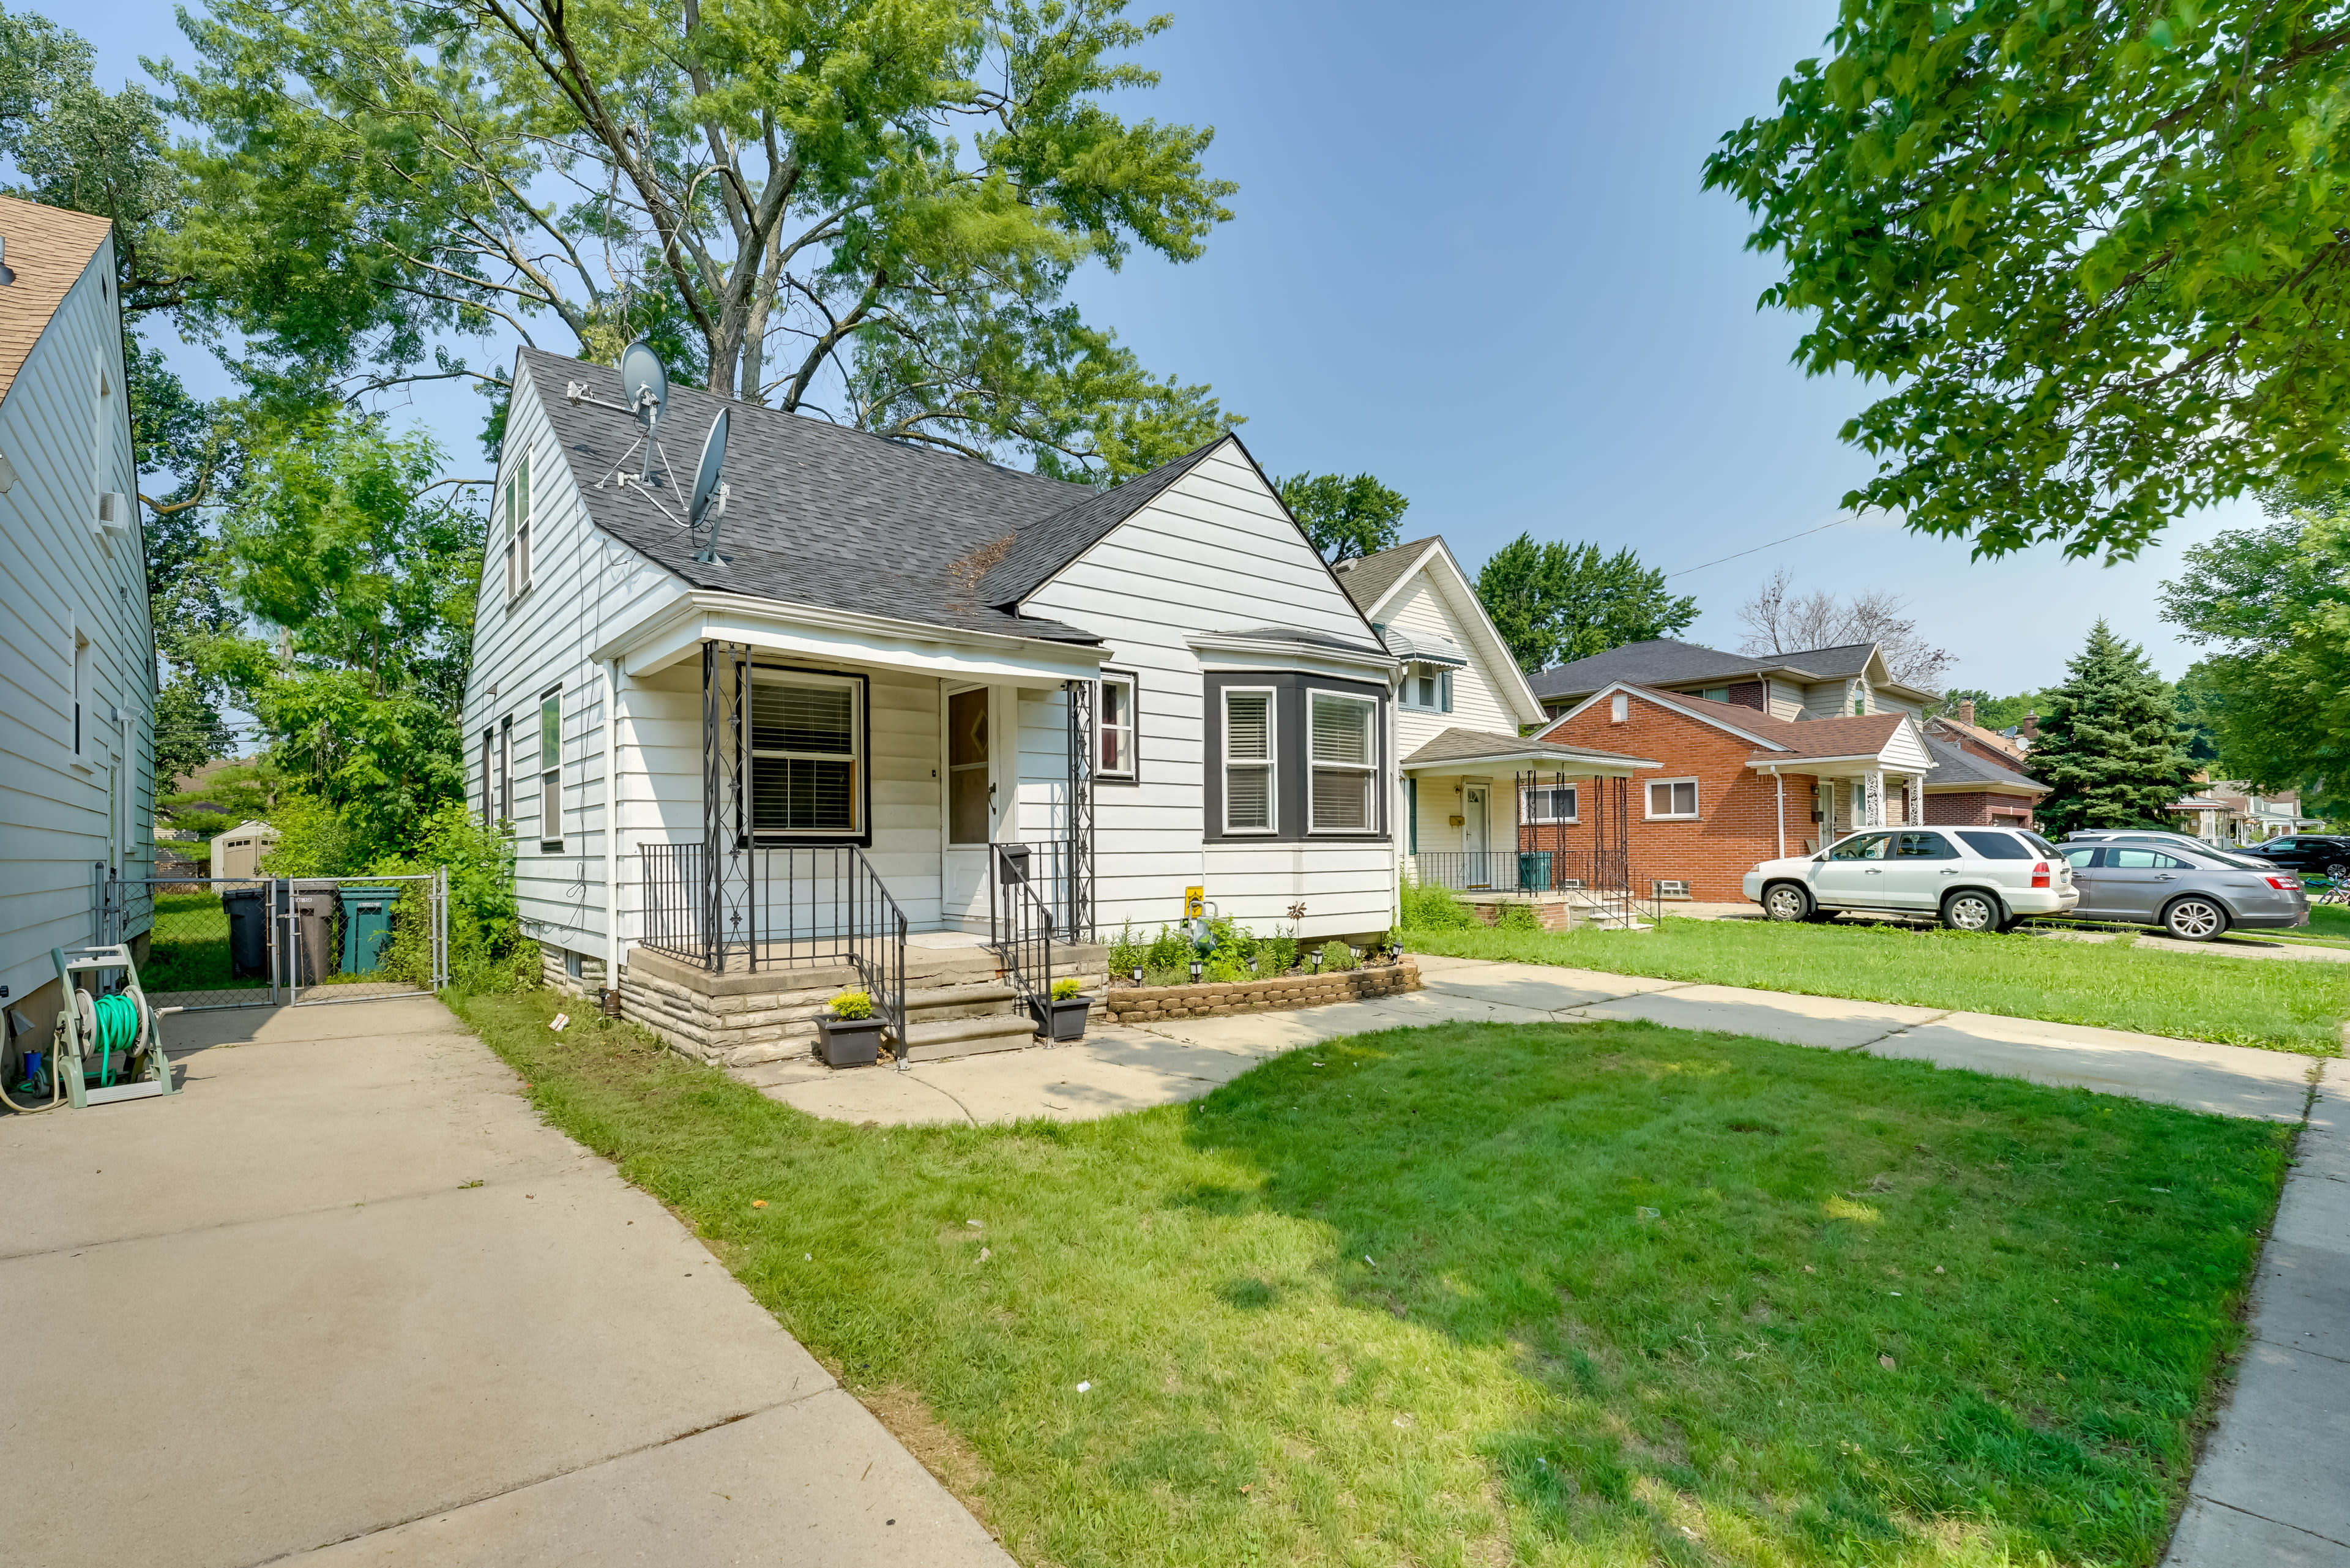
{"type": "Point", "coordinates": [2191, 996]}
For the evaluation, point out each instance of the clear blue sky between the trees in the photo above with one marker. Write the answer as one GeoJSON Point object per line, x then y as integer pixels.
{"type": "Point", "coordinates": [1472, 257]}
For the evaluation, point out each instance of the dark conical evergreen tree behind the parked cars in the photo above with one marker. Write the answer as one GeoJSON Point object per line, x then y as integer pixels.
{"type": "Point", "coordinates": [2111, 749]}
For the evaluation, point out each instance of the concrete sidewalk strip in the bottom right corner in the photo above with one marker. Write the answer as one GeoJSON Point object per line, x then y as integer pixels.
{"type": "Point", "coordinates": [2274, 1485]}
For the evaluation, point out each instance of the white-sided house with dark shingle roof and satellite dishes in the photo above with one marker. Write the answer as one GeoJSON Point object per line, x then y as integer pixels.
{"type": "Point", "coordinates": [913, 695]}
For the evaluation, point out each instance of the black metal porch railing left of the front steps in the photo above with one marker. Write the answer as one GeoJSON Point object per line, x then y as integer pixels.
{"type": "Point", "coordinates": [788, 906]}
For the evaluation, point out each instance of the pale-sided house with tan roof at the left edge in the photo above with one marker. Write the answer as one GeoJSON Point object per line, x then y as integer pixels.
{"type": "Point", "coordinates": [76, 648]}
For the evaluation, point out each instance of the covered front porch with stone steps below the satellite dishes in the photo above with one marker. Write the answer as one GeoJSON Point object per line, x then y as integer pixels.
{"type": "Point", "coordinates": [920, 836]}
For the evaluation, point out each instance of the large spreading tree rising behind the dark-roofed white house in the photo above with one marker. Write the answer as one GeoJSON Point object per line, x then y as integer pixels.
{"type": "Point", "coordinates": [852, 210]}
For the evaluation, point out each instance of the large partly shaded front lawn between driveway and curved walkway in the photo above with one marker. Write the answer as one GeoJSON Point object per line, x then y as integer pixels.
{"type": "Point", "coordinates": [1491, 1294]}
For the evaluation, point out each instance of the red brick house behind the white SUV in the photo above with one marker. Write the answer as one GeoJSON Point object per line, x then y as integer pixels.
{"type": "Point", "coordinates": [1740, 786]}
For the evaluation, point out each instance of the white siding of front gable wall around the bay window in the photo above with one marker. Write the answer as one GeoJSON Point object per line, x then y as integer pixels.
{"type": "Point", "coordinates": [1214, 554]}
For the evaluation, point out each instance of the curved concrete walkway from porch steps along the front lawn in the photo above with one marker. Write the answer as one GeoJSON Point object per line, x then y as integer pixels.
{"type": "Point", "coordinates": [1127, 1068]}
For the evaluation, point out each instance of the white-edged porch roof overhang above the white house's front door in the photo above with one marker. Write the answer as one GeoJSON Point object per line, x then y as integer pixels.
{"type": "Point", "coordinates": [810, 631]}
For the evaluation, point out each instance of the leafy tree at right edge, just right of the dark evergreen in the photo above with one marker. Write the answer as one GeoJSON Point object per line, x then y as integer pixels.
{"type": "Point", "coordinates": [2274, 605]}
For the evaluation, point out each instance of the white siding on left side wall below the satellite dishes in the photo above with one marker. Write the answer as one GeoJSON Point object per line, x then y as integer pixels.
{"type": "Point", "coordinates": [584, 582]}
